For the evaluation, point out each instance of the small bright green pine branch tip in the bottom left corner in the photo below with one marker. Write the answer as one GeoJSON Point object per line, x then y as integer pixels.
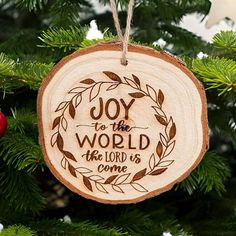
{"type": "Point", "coordinates": [17, 230]}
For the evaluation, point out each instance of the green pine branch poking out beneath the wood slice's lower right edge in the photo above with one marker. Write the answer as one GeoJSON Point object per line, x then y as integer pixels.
{"type": "Point", "coordinates": [210, 175]}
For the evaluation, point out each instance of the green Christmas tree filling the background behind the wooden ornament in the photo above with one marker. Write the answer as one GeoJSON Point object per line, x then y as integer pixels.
{"type": "Point", "coordinates": [35, 35]}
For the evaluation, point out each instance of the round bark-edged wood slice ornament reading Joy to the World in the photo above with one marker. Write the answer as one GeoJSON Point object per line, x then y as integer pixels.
{"type": "Point", "coordinates": [121, 134]}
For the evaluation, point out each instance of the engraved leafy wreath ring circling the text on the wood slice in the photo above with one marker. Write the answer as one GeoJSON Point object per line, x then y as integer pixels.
{"type": "Point", "coordinates": [158, 161]}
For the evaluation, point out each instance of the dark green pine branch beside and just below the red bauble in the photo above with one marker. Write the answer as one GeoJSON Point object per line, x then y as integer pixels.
{"type": "Point", "coordinates": [19, 147]}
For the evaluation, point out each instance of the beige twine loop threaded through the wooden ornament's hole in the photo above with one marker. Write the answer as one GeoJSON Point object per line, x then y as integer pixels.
{"type": "Point", "coordinates": [123, 38]}
